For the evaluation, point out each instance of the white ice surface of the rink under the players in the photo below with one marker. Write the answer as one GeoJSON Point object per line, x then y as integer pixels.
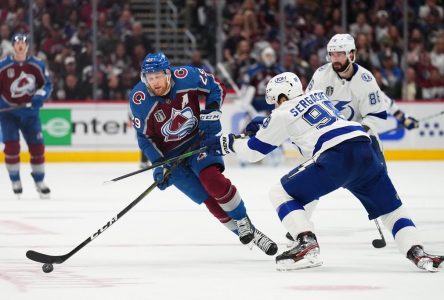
{"type": "Point", "coordinates": [167, 247]}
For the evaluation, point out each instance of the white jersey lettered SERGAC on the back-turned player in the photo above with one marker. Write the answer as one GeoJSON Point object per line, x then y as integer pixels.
{"type": "Point", "coordinates": [310, 121]}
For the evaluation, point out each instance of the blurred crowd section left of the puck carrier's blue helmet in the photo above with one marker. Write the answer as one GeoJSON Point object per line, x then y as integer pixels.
{"type": "Point", "coordinates": [62, 38]}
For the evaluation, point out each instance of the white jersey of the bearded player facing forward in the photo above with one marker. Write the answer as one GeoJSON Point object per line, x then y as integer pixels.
{"type": "Point", "coordinates": [359, 98]}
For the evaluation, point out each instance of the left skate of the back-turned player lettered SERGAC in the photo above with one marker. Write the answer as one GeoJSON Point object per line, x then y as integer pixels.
{"type": "Point", "coordinates": [305, 254]}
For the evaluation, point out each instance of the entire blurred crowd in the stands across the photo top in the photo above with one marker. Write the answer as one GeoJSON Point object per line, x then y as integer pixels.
{"type": "Point", "coordinates": [62, 37]}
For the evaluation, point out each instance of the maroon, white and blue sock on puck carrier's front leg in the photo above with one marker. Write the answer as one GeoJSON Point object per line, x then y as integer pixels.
{"type": "Point", "coordinates": [226, 195]}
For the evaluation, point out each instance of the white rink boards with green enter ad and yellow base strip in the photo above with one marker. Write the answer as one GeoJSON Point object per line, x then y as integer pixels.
{"type": "Point", "coordinates": [102, 131]}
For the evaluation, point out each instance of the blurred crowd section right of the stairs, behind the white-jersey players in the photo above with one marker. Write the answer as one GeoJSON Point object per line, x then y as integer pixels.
{"type": "Point", "coordinates": [377, 27]}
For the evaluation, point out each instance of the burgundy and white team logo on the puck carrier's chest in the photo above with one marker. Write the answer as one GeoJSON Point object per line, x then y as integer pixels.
{"type": "Point", "coordinates": [181, 123]}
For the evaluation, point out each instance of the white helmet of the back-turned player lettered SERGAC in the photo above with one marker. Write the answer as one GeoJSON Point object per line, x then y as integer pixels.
{"type": "Point", "coordinates": [287, 84]}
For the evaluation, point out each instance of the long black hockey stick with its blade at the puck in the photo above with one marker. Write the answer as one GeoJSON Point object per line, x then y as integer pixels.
{"type": "Point", "coordinates": [49, 260]}
